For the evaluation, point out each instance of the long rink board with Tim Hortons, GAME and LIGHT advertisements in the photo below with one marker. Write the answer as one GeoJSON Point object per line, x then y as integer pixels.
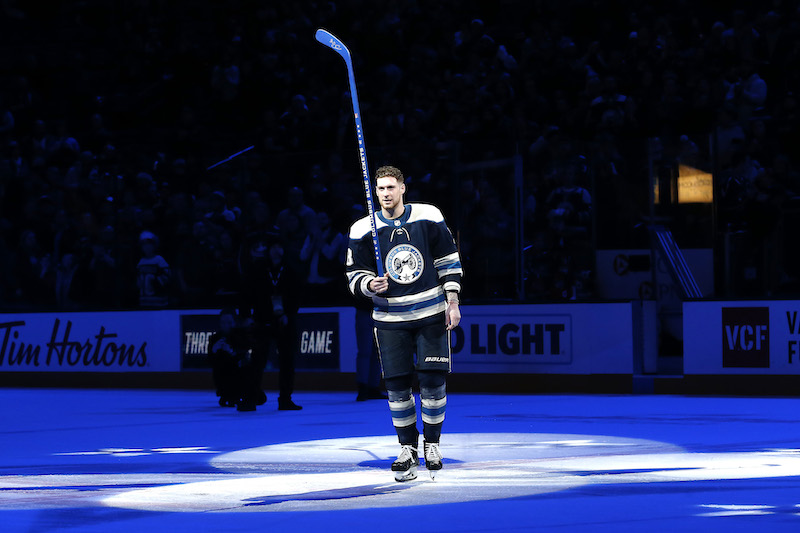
{"type": "Point", "coordinates": [550, 339]}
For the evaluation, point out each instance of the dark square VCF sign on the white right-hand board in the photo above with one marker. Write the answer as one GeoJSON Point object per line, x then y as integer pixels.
{"type": "Point", "coordinates": [745, 337]}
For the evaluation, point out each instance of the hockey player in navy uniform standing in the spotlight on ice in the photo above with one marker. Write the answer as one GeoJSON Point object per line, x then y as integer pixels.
{"type": "Point", "coordinates": [415, 306]}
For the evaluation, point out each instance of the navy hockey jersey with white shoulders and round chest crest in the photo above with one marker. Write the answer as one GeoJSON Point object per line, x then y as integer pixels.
{"type": "Point", "coordinates": [420, 259]}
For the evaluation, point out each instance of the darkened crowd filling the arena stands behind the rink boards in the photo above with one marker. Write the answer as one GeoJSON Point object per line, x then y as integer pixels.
{"type": "Point", "coordinates": [114, 115]}
